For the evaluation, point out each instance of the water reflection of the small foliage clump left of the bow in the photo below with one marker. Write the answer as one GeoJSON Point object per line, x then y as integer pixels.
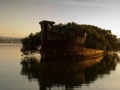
{"type": "Point", "coordinates": [30, 67]}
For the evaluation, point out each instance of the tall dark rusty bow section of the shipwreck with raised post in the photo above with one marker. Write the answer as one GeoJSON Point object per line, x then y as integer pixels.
{"type": "Point", "coordinates": [60, 45]}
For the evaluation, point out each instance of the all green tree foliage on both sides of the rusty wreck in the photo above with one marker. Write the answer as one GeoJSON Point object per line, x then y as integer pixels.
{"type": "Point", "coordinates": [97, 38]}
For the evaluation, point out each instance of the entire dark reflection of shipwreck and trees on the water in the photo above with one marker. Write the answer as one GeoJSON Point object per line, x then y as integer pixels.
{"type": "Point", "coordinates": [68, 75]}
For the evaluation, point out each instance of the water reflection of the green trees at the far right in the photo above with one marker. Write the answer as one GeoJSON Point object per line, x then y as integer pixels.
{"type": "Point", "coordinates": [107, 64]}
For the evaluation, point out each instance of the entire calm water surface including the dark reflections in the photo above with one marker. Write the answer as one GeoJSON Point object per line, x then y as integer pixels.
{"type": "Point", "coordinates": [28, 73]}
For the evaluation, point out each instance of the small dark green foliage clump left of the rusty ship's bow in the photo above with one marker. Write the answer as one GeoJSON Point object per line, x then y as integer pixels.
{"type": "Point", "coordinates": [31, 44]}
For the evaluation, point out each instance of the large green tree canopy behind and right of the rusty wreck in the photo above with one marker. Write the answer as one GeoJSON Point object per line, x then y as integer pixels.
{"type": "Point", "coordinates": [97, 38]}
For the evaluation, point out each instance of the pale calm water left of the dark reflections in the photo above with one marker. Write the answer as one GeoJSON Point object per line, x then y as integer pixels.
{"type": "Point", "coordinates": [10, 69]}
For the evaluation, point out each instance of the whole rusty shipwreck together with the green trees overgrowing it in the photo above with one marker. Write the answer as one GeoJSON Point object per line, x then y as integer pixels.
{"type": "Point", "coordinates": [97, 40]}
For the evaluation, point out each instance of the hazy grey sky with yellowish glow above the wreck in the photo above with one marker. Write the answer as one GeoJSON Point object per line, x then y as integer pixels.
{"type": "Point", "coordinates": [19, 18]}
